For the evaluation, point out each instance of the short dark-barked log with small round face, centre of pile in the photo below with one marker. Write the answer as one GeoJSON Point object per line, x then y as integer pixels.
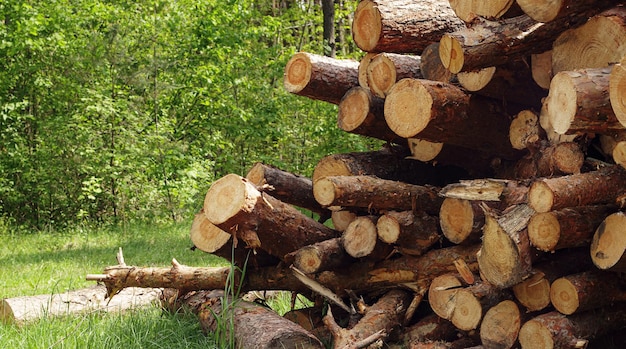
{"type": "Point", "coordinates": [410, 232]}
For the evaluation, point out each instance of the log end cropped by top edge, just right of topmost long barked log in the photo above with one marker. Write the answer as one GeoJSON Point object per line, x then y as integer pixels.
{"type": "Point", "coordinates": [468, 10]}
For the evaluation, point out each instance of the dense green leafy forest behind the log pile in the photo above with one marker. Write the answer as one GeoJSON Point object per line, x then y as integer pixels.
{"type": "Point", "coordinates": [115, 112]}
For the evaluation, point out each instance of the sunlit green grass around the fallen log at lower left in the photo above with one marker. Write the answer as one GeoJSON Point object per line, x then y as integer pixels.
{"type": "Point", "coordinates": [44, 263]}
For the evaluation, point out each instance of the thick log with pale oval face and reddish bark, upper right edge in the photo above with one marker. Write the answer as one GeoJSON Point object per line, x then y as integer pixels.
{"type": "Point", "coordinates": [578, 102]}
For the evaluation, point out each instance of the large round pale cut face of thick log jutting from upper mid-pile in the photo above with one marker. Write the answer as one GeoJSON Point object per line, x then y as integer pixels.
{"type": "Point", "coordinates": [408, 108]}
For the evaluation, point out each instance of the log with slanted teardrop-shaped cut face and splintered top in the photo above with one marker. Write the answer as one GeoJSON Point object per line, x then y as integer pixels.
{"type": "Point", "coordinates": [506, 257]}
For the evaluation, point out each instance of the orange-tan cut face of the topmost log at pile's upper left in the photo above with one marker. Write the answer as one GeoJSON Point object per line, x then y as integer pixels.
{"type": "Point", "coordinates": [367, 25]}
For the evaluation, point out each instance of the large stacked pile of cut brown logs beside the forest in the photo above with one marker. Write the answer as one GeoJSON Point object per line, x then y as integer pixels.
{"type": "Point", "coordinates": [493, 215]}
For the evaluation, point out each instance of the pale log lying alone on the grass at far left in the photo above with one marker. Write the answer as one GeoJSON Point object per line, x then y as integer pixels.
{"type": "Point", "coordinates": [22, 310]}
